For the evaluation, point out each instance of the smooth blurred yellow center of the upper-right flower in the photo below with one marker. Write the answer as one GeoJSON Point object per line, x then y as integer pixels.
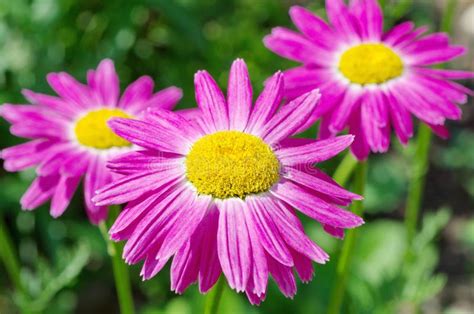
{"type": "Point", "coordinates": [370, 64]}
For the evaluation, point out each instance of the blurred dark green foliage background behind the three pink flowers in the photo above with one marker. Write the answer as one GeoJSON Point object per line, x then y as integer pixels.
{"type": "Point", "coordinates": [64, 261]}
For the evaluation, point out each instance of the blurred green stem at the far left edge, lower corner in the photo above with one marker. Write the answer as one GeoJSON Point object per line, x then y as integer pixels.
{"type": "Point", "coordinates": [9, 258]}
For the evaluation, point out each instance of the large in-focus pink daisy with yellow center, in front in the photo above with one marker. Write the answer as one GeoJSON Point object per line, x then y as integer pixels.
{"type": "Point", "coordinates": [219, 192]}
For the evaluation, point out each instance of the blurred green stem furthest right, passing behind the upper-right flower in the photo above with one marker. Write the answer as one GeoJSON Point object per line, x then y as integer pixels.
{"type": "Point", "coordinates": [423, 144]}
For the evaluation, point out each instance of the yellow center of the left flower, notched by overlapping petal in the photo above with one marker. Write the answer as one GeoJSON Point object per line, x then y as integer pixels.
{"type": "Point", "coordinates": [92, 130]}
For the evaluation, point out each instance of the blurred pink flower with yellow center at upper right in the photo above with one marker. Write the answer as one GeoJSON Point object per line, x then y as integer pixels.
{"type": "Point", "coordinates": [370, 81]}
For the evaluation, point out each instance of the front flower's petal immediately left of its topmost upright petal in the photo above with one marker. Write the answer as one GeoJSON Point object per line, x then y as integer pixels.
{"type": "Point", "coordinates": [211, 101]}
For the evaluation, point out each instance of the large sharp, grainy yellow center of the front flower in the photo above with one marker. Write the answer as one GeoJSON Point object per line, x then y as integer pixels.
{"type": "Point", "coordinates": [231, 164]}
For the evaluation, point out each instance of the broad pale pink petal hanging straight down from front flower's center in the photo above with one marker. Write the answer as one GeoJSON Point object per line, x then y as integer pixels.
{"type": "Point", "coordinates": [233, 243]}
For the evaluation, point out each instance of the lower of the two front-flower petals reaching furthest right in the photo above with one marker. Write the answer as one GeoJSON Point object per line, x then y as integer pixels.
{"type": "Point", "coordinates": [314, 207]}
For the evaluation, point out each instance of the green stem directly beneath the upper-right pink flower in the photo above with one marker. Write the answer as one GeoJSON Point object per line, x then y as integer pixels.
{"type": "Point", "coordinates": [344, 261]}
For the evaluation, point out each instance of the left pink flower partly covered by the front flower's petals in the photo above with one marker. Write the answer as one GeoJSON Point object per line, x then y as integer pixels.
{"type": "Point", "coordinates": [69, 136]}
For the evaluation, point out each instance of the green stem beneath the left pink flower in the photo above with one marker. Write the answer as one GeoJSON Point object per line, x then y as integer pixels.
{"type": "Point", "coordinates": [120, 269]}
